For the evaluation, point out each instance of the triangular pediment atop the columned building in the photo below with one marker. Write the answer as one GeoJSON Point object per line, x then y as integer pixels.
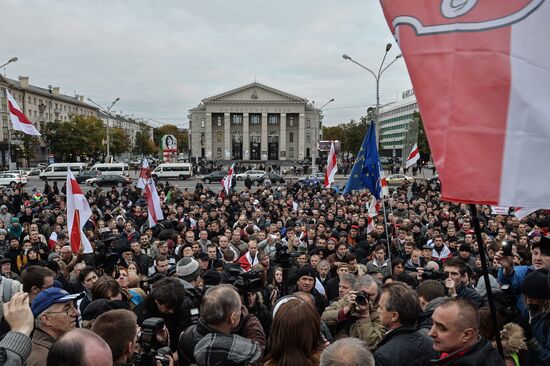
{"type": "Point", "coordinates": [254, 93]}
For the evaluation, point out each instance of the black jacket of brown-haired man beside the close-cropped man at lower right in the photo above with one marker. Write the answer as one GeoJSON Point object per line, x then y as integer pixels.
{"type": "Point", "coordinates": [404, 345]}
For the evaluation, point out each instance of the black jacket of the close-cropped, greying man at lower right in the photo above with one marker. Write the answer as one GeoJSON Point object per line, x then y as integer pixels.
{"type": "Point", "coordinates": [480, 354]}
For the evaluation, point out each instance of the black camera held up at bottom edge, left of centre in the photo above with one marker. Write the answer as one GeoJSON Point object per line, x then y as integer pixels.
{"type": "Point", "coordinates": [152, 351]}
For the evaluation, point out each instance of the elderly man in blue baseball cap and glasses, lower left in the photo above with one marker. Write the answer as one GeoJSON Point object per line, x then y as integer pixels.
{"type": "Point", "coordinates": [55, 314]}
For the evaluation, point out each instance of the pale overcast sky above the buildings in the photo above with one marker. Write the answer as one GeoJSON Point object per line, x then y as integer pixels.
{"type": "Point", "coordinates": [161, 57]}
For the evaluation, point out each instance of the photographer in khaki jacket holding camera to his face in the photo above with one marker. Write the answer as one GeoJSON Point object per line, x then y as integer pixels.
{"type": "Point", "coordinates": [356, 315]}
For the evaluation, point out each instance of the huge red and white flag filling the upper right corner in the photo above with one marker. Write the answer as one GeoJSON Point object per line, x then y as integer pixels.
{"type": "Point", "coordinates": [481, 70]}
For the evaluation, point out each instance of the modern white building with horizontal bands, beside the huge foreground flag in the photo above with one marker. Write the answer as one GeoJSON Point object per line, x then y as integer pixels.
{"type": "Point", "coordinates": [397, 127]}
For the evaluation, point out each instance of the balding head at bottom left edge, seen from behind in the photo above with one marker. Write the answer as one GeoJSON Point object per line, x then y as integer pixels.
{"type": "Point", "coordinates": [80, 347]}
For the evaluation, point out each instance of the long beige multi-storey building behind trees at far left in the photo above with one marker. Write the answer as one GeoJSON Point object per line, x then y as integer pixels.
{"type": "Point", "coordinates": [41, 106]}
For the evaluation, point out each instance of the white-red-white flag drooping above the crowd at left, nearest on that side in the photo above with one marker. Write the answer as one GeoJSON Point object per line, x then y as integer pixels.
{"type": "Point", "coordinates": [78, 213]}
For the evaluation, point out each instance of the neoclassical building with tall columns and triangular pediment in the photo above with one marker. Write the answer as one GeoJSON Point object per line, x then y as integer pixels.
{"type": "Point", "coordinates": [254, 122]}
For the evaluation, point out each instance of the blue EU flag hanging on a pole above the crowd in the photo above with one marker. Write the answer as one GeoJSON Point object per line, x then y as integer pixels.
{"type": "Point", "coordinates": [366, 170]}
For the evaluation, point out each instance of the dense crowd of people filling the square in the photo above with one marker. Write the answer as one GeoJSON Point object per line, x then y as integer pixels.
{"type": "Point", "coordinates": [277, 275]}
